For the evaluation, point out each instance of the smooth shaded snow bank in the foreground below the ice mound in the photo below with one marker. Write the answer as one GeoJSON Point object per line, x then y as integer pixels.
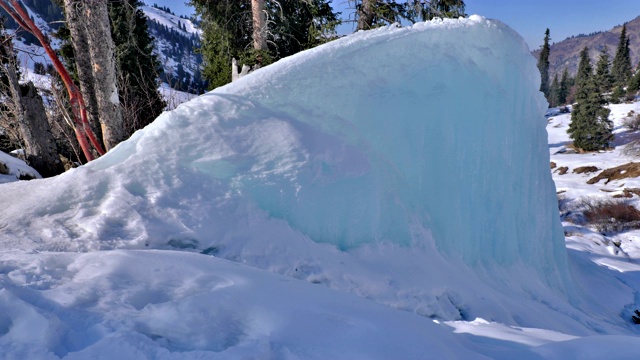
{"type": "Point", "coordinates": [168, 305]}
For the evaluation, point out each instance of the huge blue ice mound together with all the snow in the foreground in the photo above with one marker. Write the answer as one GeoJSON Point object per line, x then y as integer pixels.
{"type": "Point", "coordinates": [386, 195]}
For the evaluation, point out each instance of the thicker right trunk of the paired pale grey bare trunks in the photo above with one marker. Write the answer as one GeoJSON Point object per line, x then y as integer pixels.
{"type": "Point", "coordinates": [93, 18]}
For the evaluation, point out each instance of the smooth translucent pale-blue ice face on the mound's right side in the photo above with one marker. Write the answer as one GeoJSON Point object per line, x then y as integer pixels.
{"type": "Point", "coordinates": [439, 125]}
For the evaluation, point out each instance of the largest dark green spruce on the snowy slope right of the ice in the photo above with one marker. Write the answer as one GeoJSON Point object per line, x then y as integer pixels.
{"type": "Point", "coordinates": [590, 127]}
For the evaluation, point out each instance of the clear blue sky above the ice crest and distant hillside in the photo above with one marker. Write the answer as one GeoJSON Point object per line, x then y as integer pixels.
{"type": "Point", "coordinates": [528, 17]}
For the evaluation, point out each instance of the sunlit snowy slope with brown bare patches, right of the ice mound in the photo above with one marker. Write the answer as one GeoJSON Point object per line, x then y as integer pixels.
{"type": "Point", "coordinates": [573, 187]}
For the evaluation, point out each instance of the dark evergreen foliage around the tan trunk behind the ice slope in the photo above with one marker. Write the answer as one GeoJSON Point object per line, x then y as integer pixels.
{"type": "Point", "coordinates": [227, 30]}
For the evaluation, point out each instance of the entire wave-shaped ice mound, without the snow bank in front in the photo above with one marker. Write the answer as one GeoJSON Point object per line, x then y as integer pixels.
{"type": "Point", "coordinates": [425, 136]}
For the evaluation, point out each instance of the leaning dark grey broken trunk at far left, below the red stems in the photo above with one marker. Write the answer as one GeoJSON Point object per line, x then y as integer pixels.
{"type": "Point", "coordinates": [40, 146]}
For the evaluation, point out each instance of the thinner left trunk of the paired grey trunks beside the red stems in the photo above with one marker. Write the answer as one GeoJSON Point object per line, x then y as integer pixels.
{"type": "Point", "coordinates": [77, 28]}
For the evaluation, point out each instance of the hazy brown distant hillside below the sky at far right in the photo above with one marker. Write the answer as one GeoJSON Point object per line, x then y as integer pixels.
{"type": "Point", "coordinates": [566, 53]}
